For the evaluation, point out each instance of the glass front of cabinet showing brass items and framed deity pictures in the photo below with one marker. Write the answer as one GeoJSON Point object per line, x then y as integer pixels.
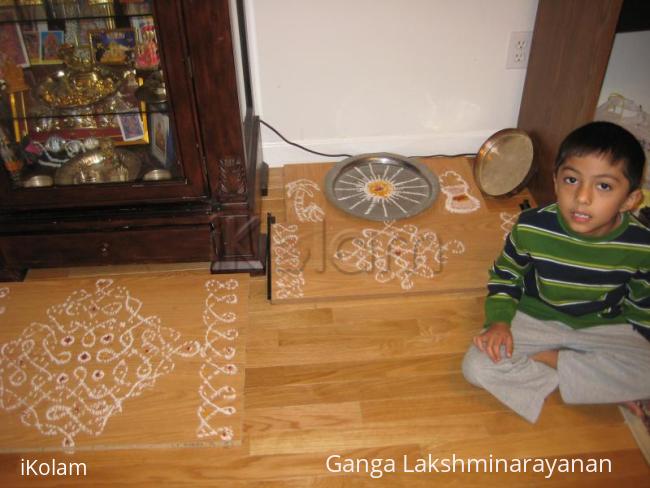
{"type": "Point", "coordinates": [85, 103]}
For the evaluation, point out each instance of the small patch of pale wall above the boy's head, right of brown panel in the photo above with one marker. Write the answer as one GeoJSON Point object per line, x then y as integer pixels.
{"type": "Point", "coordinates": [628, 71]}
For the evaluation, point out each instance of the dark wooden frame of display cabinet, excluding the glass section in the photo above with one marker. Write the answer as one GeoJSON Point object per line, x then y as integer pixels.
{"type": "Point", "coordinates": [220, 155]}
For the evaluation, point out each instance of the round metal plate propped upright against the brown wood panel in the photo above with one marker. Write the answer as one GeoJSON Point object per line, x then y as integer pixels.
{"type": "Point", "coordinates": [504, 163]}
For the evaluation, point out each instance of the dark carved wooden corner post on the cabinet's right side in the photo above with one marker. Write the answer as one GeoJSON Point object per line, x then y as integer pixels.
{"type": "Point", "coordinates": [230, 143]}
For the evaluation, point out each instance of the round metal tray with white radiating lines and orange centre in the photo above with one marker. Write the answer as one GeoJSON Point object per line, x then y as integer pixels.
{"type": "Point", "coordinates": [381, 186]}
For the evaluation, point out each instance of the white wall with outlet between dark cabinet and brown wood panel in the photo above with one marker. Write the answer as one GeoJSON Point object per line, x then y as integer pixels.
{"type": "Point", "coordinates": [408, 76]}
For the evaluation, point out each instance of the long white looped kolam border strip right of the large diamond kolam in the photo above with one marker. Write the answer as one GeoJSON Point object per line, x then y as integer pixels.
{"type": "Point", "coordinates": [218, 353]}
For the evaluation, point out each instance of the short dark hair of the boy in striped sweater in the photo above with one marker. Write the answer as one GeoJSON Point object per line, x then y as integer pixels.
{"type": "Point", "coordinates": [607, 139]}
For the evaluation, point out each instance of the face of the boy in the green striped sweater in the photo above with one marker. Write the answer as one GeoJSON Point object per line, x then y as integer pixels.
{"type": "Point", "coordinates": [591, 194]}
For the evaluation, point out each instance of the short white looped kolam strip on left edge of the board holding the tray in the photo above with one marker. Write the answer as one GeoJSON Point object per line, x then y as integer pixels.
{"type": "Point", "coordinates": [289, 279]}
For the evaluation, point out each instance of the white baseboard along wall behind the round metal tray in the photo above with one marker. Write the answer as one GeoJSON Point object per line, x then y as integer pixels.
{"type": "Point", "coordinates": [277, 153]}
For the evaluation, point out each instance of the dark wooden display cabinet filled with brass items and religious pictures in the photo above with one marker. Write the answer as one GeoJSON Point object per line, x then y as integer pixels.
{"type": "Point", "coordinates": [199, 133]}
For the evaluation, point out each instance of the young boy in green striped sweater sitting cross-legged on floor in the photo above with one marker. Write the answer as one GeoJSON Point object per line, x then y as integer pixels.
{"type": "Point", "coordinates": [568, 300]}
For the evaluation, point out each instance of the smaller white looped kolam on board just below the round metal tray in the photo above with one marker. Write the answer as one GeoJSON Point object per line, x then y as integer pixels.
{"type": "Point", "coordinates": [397, 253]}
